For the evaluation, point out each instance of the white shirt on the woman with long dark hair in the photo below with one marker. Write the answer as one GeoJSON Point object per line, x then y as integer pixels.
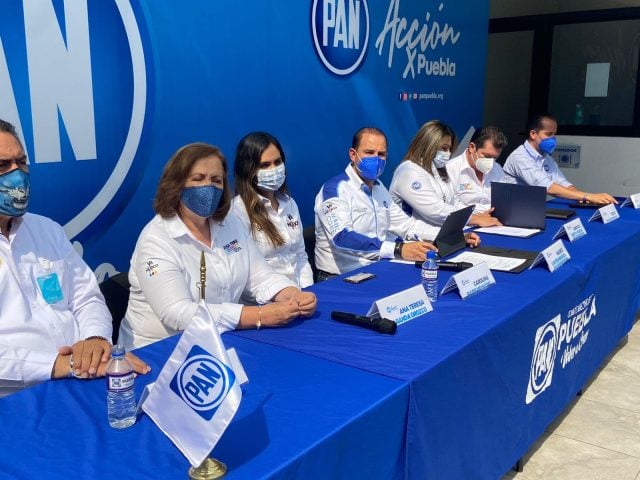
{"type": "Point", "coordinates": [289, 259]}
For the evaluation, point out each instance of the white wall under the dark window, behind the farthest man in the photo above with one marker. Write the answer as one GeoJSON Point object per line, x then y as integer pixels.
{"type": "Point", "coordinates": [607, 164]}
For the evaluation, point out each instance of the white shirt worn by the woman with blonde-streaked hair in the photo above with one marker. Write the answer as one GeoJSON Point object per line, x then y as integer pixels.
{"type": "Point", "coordinates": [423, 195]}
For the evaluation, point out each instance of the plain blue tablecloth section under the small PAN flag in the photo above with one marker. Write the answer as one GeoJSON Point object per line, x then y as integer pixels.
{"type": "Point", "coordinates": [300, 417]}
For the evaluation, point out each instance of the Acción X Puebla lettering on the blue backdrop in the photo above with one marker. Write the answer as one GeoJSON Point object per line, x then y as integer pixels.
{"type": "Point", "coordinates": [418, 39]}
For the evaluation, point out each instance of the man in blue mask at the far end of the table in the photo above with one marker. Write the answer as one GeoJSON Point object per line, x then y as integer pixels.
{"type": "Point", "coordinates": [531, 163]}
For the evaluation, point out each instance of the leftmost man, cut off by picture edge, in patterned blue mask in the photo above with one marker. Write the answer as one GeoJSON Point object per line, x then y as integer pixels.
{"type": "Point", "coordinates": [53, 319]}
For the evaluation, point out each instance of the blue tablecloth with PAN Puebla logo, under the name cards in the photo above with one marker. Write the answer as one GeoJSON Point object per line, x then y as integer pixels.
{"type": "Point", "coordinates": [469, 361]}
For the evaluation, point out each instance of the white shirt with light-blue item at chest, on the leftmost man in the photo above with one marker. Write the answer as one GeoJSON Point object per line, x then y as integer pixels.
{"type": "Point", "coordinates": [49, 298]}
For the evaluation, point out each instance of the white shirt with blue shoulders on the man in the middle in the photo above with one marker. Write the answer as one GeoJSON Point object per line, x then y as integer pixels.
{"type": "Point", "coordinates": [356, 226]}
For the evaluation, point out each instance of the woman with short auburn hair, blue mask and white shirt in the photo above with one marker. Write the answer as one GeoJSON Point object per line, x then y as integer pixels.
{"type": "Point", "coordinates": [192, 222]}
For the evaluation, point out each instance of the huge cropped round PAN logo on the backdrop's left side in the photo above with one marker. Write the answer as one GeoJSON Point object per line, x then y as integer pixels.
{"type": "Point", "coordinates": [73, 82]}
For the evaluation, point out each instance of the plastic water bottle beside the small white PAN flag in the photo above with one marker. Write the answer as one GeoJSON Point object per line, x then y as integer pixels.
{"type": "Point", "coordinates": [121, 397]}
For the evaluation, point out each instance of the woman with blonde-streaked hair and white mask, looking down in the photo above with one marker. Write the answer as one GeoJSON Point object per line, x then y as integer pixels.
{"type": "Point", "coordinates": [421, 184]}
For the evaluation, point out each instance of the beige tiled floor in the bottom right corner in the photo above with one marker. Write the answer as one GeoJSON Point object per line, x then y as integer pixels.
{"type": "Point", "coordinates": [598, 436]}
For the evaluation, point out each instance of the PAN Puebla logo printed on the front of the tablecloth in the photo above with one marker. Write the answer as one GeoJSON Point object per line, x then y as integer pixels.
{"type": "Point", "coordinates": [551, 337]}
